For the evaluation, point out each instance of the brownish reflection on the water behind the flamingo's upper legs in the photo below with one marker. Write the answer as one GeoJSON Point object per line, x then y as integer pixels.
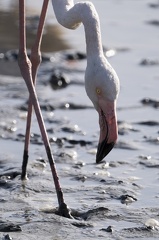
{"type": "Point", "coordinates": [9, 31]}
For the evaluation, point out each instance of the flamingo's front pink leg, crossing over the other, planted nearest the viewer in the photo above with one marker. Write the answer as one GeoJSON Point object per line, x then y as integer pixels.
{"type": "Point", "coordinates": [26, 71]}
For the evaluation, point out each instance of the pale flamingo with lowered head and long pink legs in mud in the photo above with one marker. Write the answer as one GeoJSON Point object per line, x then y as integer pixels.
{"type": "Point", "coordinates": [101, 80]}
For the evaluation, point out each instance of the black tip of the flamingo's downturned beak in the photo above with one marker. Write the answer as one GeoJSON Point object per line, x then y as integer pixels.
{"type": "Point", "coordinates": [103, 150]}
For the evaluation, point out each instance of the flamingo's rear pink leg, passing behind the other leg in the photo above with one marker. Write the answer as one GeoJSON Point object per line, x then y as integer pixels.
{"type": "Point", "coordinates": [35, 61]}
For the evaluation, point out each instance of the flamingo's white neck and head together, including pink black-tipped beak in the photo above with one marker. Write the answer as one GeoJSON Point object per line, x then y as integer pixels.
{"type": "Point", "coordinates": [101, 80]}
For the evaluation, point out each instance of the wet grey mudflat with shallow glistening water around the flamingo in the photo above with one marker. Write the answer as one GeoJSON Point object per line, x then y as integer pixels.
{"type": "Point", "coordinates": [117, 199]}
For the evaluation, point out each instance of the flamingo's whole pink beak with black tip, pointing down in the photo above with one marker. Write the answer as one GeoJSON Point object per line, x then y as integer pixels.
{"type": "Point", "coordinates": [108, 129]}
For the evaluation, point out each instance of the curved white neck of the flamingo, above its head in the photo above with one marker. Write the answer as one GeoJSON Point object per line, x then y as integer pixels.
{"type": "Point", "coordinates": [70, 15]}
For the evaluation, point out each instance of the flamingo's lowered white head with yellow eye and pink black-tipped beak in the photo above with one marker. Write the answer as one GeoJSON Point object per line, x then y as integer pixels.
{"type": "Point", "coordinates": [102, 87]}
